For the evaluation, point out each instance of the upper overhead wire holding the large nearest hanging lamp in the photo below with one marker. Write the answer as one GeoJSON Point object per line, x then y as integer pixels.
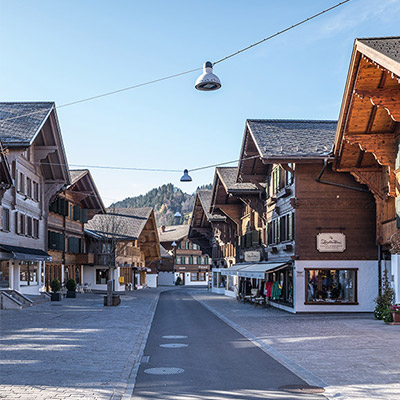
{"type": "Point", "coordinates": [181, 73]}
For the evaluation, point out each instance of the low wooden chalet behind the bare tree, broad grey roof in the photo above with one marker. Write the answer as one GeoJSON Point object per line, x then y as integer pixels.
{"type": "Point", "coordinates": [124, 241]}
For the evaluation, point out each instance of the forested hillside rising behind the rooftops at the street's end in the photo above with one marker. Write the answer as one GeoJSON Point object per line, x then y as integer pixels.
{"type": "Point", "coordinates": [166, 201]}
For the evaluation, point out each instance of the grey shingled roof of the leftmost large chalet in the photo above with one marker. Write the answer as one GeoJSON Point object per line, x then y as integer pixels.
{"type": "Point", "coordinates": [21, 122]}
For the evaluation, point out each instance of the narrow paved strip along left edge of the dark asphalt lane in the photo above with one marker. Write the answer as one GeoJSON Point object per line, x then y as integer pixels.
{"type": "Point", "coordinates": [125, 388]}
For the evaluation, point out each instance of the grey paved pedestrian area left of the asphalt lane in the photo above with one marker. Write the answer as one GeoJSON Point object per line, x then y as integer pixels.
{"type": "Point", "coordinates": [74, 349]}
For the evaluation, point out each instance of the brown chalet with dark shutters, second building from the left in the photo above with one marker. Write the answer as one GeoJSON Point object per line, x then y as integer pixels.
{"type": "Point", "coordinates": [68, 213]}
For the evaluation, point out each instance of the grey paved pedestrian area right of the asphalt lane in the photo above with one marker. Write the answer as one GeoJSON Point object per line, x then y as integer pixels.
{"type": "Point", "coordinates": [352, 356]}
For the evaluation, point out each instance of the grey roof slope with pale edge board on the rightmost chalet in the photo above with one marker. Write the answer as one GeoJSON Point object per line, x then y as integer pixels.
{"type": "Point", "coordinates": [383, 50]}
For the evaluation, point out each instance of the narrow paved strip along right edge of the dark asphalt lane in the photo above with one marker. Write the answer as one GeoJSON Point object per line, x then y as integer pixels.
{"type": "Point", "coordinates": [301, 372]}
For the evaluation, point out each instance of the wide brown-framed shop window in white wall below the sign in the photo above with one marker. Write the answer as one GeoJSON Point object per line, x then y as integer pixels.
{"type": "Point", "coordinates": [331, 286]}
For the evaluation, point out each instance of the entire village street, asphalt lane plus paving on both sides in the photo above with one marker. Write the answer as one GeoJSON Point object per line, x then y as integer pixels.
{"type": "Point", "coordinates": [79, 349]}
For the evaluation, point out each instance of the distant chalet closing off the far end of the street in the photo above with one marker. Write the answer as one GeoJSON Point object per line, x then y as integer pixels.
{"type": "Point", "coordinates": [191, 265]}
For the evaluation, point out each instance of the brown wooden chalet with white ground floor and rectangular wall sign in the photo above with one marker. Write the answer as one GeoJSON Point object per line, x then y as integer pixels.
{"type": "Point", "coordinates": [320, 232]}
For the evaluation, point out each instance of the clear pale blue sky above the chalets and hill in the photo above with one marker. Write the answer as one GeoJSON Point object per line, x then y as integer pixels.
{"type": "Point", "coordinates": [68, 50]}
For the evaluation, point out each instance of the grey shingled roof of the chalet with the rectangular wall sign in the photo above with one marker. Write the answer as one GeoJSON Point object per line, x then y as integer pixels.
{"type": "Point", "coordinates": [292, 139]}
